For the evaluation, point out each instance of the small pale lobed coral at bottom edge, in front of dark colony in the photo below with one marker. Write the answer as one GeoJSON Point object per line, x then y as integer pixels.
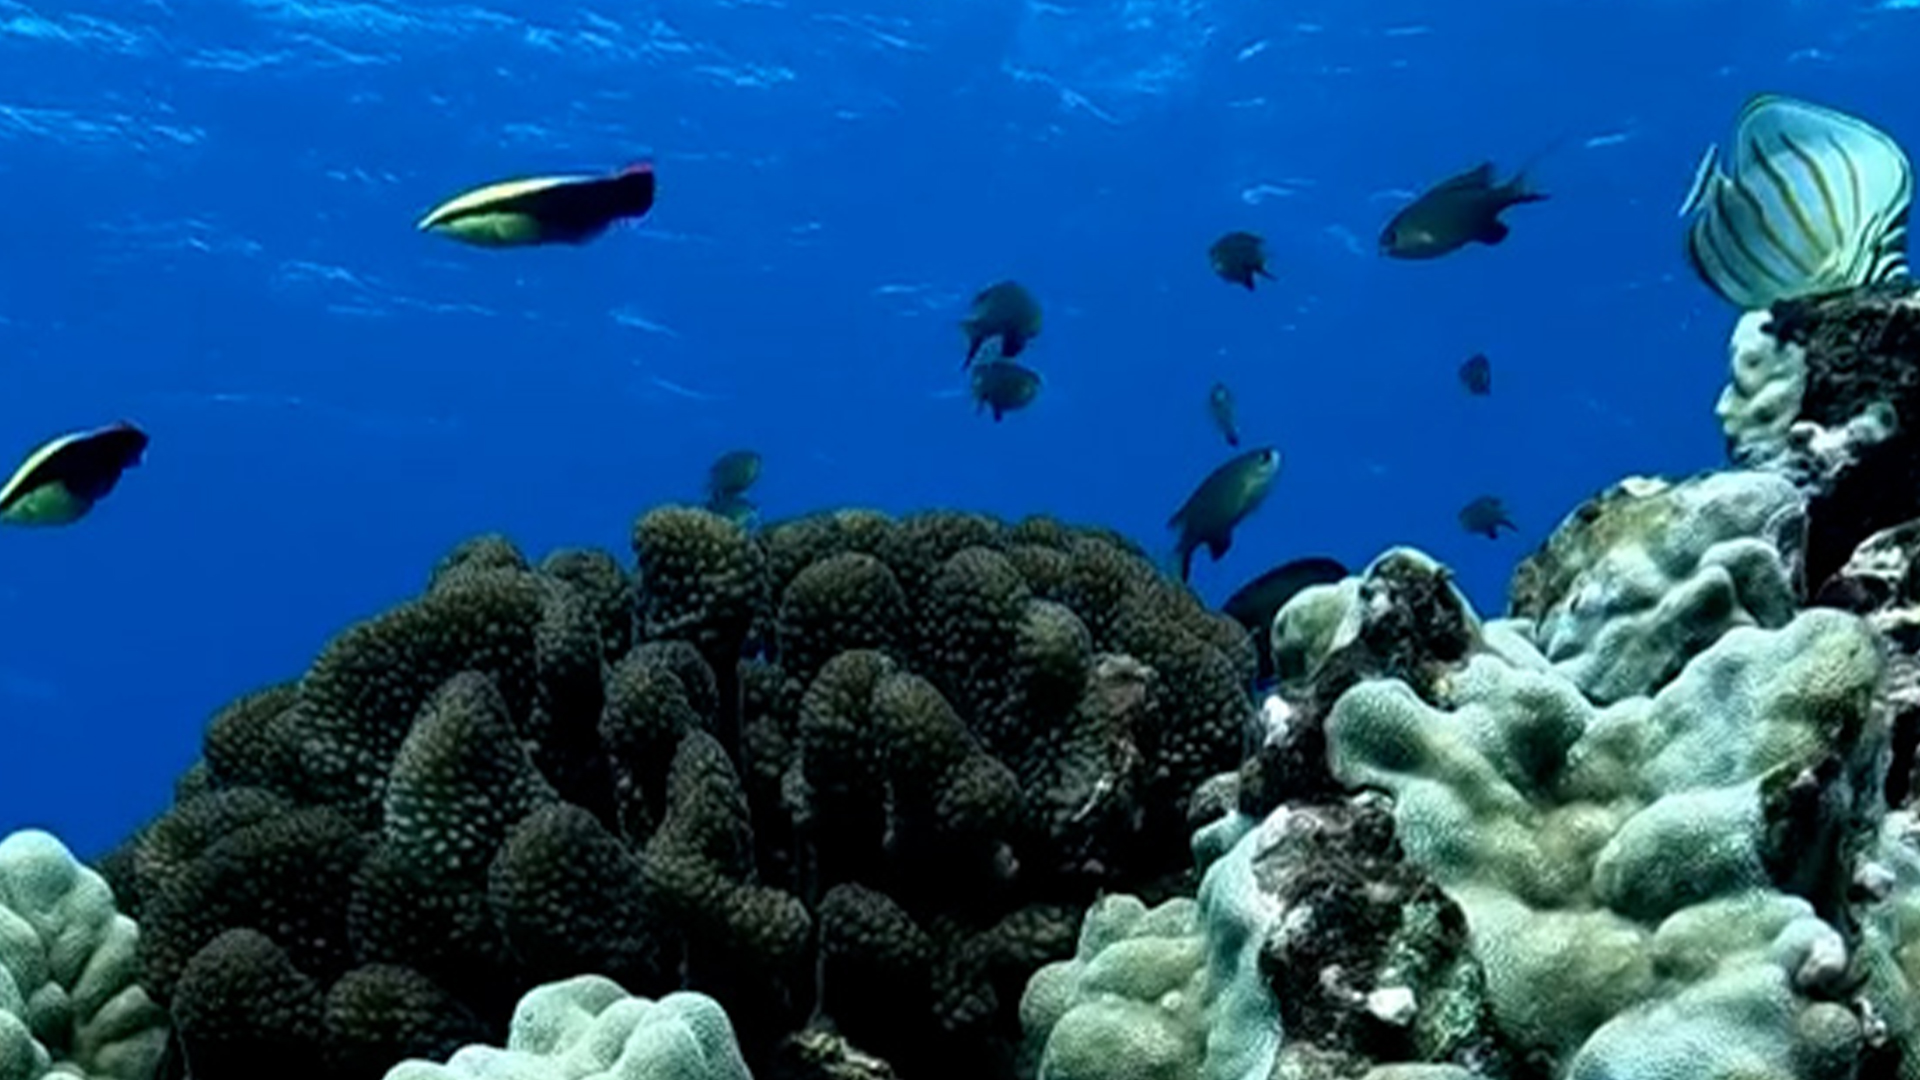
{"type": "Point", "coordinates": [590, 1029]}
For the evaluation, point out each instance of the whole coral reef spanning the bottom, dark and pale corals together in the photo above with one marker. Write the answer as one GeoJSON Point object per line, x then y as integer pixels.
{"type": "Point", "coordinates": [948, 797]}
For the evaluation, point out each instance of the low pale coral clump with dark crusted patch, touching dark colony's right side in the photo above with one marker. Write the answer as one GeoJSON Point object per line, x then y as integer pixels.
{"type": "Point", "coordinates": [1308, 925]}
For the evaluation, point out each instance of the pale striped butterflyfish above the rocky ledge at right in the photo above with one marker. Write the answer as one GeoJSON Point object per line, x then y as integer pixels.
{"type": "Point", "coordinates": [1817, 203]}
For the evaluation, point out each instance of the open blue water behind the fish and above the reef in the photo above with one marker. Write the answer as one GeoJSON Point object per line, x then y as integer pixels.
{"type": "Point", "coordinates": [210, 232]}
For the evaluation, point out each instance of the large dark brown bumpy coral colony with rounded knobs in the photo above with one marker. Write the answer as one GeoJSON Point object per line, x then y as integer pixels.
{"type": "Point", "coordinates": [857, 777]}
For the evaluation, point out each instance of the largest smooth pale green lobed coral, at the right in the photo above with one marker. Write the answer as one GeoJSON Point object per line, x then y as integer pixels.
{"type": "Point", "coordinates": [1623, 868]}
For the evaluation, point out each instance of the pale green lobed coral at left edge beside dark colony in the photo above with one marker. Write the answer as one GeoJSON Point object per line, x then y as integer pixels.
{"type": "Point", "coordinates": [70, 998]}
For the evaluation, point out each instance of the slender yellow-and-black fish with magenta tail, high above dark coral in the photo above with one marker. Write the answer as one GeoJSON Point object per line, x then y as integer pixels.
{"type": "Point", "coordinates": [544, 210]}
